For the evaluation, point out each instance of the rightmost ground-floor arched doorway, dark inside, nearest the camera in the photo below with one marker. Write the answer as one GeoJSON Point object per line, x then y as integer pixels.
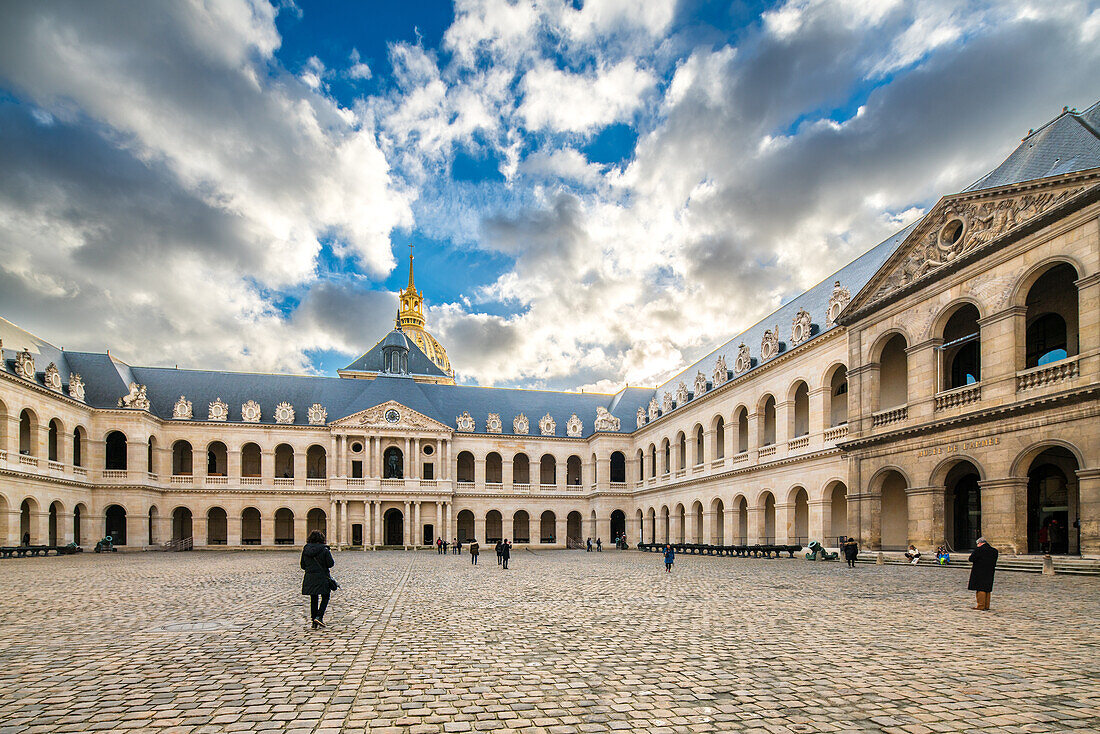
{"type": "Point", "coordinates": [1053, 503]}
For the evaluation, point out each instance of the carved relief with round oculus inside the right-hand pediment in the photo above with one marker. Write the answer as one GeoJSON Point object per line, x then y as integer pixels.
{"type": "Point", "coordinates": [962, 227]}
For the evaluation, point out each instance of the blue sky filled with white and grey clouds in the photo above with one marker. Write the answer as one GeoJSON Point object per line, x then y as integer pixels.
{"type": "Point", "coordinates": [598, 192]}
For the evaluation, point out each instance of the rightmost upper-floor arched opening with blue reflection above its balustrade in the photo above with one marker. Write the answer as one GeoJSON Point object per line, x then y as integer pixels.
{"type": "Point", "coordinates": [1052, 321]}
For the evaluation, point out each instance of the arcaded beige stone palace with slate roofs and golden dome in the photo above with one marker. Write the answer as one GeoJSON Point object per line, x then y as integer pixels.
{"type": "Point", "coordinates": [944, 385]}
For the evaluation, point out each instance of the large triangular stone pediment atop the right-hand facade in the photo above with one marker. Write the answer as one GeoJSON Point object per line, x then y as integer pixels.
{"type": "Point", "coordinates": [966, 226]}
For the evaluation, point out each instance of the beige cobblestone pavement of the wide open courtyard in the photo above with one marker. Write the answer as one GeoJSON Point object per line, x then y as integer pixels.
{"type": "Point", "coordinates": [563, 642]}
